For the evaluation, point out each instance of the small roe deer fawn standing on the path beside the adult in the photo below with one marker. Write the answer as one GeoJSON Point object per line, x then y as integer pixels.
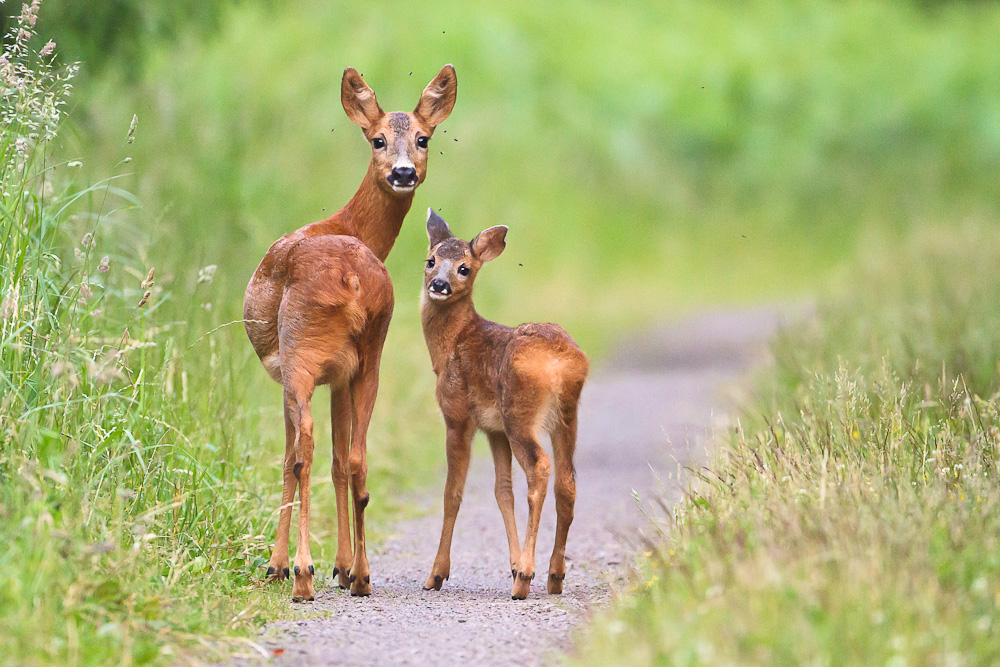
{"type": "Point", "coordinates": [514, 383]}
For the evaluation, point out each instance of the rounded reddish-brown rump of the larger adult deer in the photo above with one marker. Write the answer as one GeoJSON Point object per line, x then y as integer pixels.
{"type": "Point", "coordinates": [332, 289]}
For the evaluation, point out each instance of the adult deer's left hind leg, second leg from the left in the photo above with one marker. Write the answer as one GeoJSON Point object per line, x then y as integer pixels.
{"type": "Point", "coordinates": [298, 395]}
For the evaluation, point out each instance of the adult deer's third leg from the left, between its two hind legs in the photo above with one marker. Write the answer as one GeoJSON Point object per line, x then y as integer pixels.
{"type": "Point", "coordinates": [340, 419]}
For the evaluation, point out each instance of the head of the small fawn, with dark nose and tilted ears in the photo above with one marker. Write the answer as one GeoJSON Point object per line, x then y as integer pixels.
{"type": "Point", "coordinates": [452, 264]}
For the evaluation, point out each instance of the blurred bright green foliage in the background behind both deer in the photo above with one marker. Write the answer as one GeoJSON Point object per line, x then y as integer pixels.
{"type": "Point", "coordinates": [647, 161]}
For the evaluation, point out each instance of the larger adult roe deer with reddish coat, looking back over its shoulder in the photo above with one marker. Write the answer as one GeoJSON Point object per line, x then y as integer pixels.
{"type": "Point", "coordinates": [317, 310]}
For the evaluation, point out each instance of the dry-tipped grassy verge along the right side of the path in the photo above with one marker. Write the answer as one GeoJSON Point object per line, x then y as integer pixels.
{"type": "Point", "coordinates": [852, 517]}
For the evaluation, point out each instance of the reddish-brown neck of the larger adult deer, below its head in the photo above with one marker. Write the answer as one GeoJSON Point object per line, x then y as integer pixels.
{"type": "Point", "coordinates": [376, 215]}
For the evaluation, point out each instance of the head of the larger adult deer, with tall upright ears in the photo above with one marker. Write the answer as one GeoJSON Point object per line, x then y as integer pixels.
{"type": "Point", "coordinates": [399, 139]}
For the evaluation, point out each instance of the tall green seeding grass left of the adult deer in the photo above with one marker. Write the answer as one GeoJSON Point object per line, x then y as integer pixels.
{"type": "Point", "coordinates": [129, 511]}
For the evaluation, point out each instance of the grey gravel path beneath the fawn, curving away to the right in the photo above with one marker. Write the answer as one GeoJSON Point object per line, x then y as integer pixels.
{"type": "Point", "coordinates": [647, 407]}
